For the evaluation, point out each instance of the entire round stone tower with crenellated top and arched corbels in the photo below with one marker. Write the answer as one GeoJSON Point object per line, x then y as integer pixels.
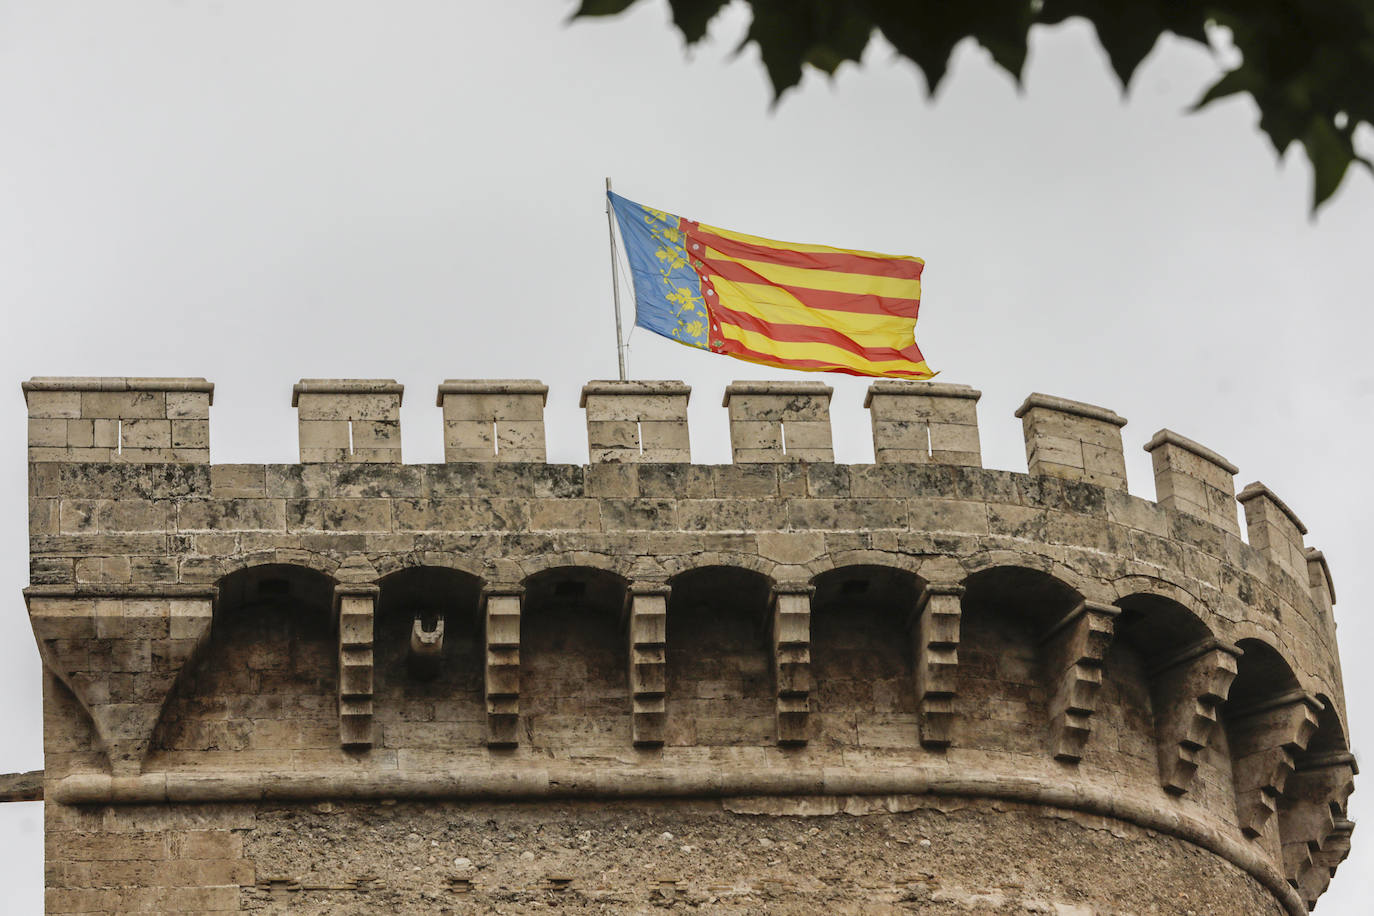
{"type": "Point", "coordinates": [778, 686]}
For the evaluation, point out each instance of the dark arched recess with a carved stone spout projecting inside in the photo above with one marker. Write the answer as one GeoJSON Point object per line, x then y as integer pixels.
{"type": "Point", "coordinates": [429, 650]}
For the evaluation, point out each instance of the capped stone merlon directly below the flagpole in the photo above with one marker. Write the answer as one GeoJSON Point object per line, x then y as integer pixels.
{"type": "Point", "coordinates": [637, 421]}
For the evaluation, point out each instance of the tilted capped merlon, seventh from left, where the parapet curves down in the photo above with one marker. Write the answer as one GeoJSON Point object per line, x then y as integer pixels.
{"type": "Point", "coordinates": [1074, 440]}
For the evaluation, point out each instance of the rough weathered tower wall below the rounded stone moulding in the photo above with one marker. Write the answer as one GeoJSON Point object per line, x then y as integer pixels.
{"type": "Point", "coordinates": [853, 856]}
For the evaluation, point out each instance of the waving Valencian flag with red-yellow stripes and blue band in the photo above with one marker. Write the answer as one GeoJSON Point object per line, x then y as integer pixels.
{"type": "Point", "coordinates": [798, 307]}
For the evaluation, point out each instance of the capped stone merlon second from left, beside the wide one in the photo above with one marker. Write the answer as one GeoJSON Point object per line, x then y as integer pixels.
{"type": "Point", "coordinates": [352, 421]}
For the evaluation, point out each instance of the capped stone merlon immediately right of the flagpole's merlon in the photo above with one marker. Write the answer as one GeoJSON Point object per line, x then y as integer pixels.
{"type": "Point", "coordinates": [773, 422]}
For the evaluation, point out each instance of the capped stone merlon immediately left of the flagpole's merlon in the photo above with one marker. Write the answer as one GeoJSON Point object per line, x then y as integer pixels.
{"type": "Point", "coordinates": [494, 421]}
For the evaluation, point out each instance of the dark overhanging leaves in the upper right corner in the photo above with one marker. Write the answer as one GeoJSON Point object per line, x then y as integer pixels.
{"type": "Point", "coordinates": [1307, 64]}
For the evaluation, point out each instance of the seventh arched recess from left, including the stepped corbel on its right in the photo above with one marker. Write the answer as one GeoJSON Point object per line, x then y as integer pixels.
{"type": "Point", "coordinates": [1169, 671]}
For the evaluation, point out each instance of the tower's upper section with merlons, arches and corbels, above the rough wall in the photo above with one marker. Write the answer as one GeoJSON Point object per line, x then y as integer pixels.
{"type": "Point", "coordinates": [497, 627]}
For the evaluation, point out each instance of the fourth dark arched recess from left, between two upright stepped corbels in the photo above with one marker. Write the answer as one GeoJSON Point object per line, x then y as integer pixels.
{"type": "Point", "coordinates": [719, 664]}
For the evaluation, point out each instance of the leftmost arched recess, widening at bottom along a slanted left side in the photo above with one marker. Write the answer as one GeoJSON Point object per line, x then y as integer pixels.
{"type": "Point", "coordinates": [269, 680]}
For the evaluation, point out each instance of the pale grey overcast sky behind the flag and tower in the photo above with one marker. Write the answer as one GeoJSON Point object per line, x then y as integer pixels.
{"type": "Point", "coordinates": [264, 190]}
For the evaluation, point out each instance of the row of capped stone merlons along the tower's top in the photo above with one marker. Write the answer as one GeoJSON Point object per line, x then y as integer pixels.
{"type": "Point", "coordinates": [358, 421]}
